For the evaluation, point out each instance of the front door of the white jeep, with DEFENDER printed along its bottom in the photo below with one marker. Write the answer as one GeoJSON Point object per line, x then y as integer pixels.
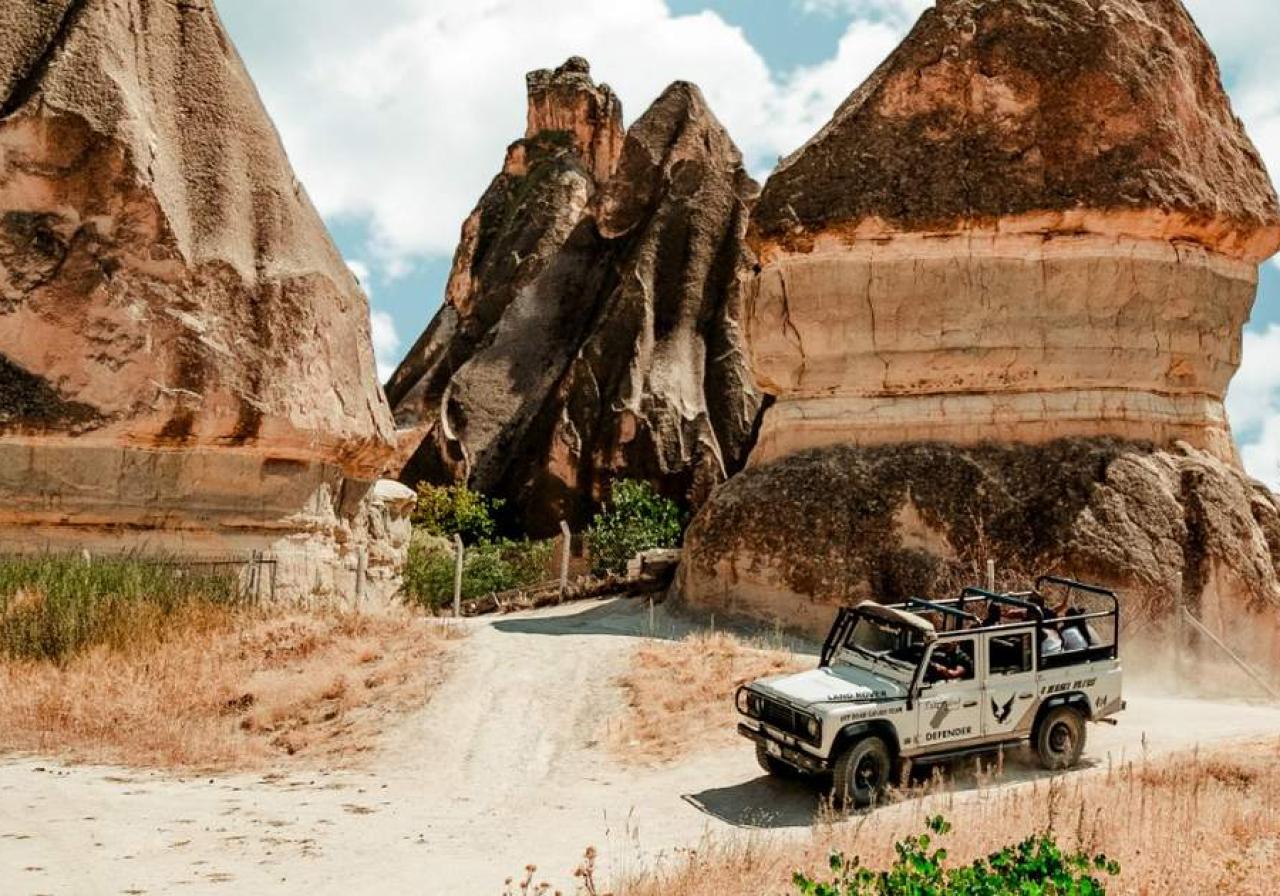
{"type": "Point", "coordinates": [950, 710]}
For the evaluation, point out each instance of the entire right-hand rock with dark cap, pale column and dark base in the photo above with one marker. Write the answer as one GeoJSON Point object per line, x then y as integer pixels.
{"type": "Point", "coordinates": [1000, 300]}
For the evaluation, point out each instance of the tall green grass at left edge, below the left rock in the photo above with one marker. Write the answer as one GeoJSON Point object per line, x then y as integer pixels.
{"type": "Point", "coordinates": [54, 606]}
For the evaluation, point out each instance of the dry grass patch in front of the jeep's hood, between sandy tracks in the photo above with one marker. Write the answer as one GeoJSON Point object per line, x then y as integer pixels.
{"type": "Point", "coordinates": [680, 694]}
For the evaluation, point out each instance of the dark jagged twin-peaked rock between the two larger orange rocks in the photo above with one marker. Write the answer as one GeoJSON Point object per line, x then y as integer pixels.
{"type": "Point", "coordinates": [591, 327]}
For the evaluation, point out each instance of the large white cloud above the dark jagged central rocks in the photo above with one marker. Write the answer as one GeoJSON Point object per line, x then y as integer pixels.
{"type": "Point", "coordinates": [401, 116]}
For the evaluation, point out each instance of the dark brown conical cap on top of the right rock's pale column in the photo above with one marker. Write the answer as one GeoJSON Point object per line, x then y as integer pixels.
{"type": "Point", "coordinates": [1000, 108]}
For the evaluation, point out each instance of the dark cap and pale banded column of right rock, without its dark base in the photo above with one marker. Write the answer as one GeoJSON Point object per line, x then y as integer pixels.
{"type": "Point", "coordinates": [1036, 220]}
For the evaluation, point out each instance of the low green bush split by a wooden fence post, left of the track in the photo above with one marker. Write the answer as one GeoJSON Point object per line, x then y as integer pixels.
{"type": "Point", "coordinates": [487, 568]}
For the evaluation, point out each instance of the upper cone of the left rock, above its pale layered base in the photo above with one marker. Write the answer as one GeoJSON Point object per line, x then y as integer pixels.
{"type": "Point", "coordinates": [164, 280]}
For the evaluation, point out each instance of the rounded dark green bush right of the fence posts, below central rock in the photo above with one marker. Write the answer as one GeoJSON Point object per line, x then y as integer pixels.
{"type": "Point", "coordinates": [637, 519]}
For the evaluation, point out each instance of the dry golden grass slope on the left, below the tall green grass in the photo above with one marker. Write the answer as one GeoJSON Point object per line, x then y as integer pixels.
{"type": "Point", "coordinates": [225, 689]}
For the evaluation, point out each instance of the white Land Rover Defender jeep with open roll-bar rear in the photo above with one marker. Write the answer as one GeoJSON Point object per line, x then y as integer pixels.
{"type": "Point", "coordinates": [929, 682]}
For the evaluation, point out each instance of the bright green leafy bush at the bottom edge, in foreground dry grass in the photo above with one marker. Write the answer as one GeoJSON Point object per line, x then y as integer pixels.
{"type": "Point", "coordinates": [1036, 867]}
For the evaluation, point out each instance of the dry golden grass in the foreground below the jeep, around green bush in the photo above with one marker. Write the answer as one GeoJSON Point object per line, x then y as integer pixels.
{"type": "Point", "coordinates": [1192, 824]}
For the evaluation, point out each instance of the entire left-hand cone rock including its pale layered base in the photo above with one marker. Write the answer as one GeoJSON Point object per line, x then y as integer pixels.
{"type": "Point", "coordinates": [185, 359]}
